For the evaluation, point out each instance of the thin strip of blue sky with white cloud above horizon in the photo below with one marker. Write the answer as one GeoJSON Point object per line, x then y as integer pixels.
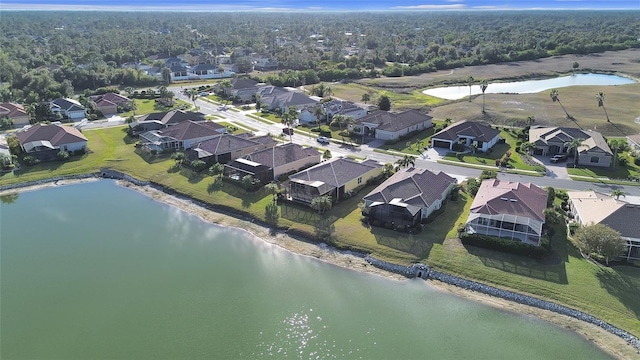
{"type": "Point", "coordinates": [318, 5]}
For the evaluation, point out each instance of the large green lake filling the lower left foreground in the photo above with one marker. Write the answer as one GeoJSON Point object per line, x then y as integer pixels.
{"type": "Point", "coordinates": [98, 271]}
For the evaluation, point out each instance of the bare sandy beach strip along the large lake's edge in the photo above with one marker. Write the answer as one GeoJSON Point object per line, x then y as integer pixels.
{"type": "Point", "coordinates": [613, 345]}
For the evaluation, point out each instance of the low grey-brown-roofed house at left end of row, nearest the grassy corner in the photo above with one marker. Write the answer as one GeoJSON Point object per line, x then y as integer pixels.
{"type": "Point", "coordinates": [181, 136]}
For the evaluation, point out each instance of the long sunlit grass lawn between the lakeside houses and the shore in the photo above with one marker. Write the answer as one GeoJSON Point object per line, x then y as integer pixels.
{"type": "Point", "coordinates": [609, 293]}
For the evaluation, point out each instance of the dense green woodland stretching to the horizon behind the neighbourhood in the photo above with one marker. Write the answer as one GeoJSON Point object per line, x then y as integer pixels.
{"type": "Point", "coordinates": [44, 55]}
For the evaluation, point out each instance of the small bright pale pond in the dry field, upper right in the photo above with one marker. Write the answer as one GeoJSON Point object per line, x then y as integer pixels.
{"type": "Point", "coordinates": [529, 86]}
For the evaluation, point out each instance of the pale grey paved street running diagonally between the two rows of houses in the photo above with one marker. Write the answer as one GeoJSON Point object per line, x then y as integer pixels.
{"type": "Point", "coordinates": [422, 162]}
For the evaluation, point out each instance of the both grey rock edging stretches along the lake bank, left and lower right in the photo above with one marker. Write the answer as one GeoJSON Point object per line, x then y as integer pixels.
{"type": "Point", "coordinates": [415, 270]}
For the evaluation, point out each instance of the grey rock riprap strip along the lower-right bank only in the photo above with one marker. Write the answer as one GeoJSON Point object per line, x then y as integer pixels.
{"type": "Point", "coordinates": [424, 272]}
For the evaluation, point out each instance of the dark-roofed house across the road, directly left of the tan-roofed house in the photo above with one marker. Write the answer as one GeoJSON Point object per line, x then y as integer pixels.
{"type": "Point", "coordinates": [466, 133]}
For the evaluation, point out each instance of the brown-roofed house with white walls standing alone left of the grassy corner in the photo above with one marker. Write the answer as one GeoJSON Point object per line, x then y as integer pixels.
{"type": "Point", "coordinates": [44, 142]}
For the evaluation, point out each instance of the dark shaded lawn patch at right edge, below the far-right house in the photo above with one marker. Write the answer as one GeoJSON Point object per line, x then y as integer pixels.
{"type": "Point", "coordinates": [623, 283]}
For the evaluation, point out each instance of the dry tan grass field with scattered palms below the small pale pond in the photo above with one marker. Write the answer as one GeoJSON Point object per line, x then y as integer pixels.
{"type": "Point", "coordinates": [621, 103]}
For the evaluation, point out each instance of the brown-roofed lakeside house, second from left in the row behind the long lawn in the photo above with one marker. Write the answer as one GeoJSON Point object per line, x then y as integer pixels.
{"type": "Point", "coordinates": [225, 148]}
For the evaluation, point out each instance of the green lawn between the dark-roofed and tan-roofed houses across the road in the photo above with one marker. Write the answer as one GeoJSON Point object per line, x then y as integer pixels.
{"type": "Point", "coordinates": [498, 152]}
